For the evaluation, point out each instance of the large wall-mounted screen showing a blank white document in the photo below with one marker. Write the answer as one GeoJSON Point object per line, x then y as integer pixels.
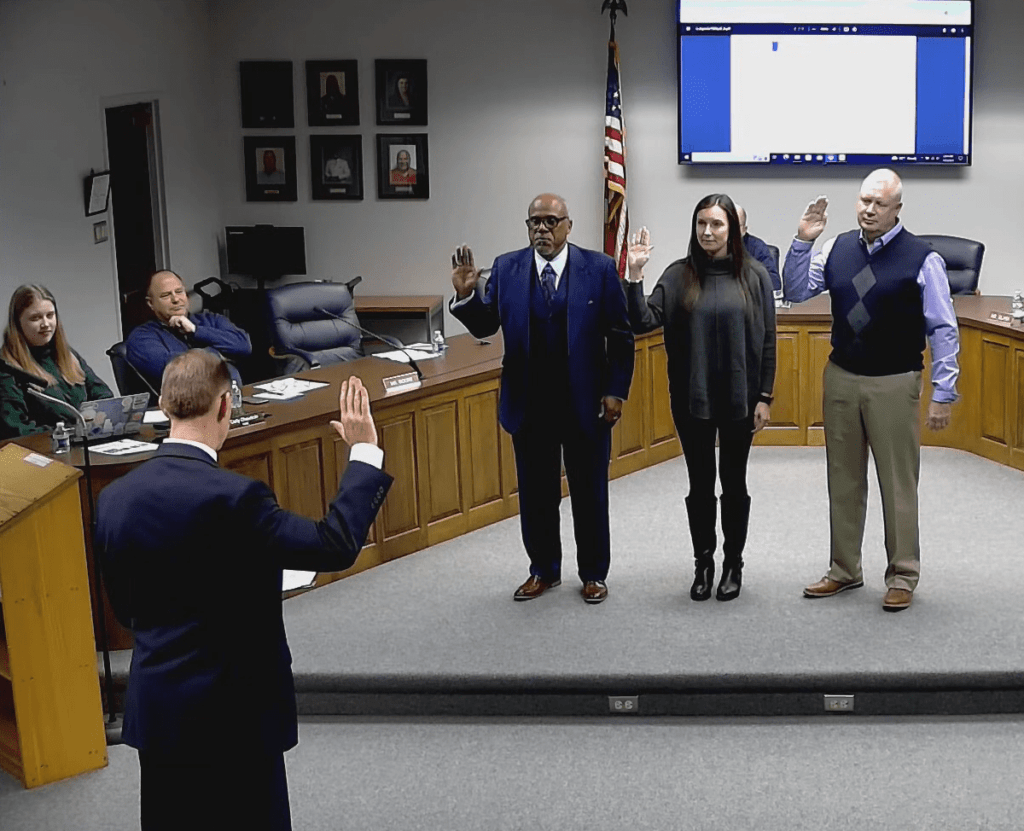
{"type": "Point", "coordinates": [826, 82]}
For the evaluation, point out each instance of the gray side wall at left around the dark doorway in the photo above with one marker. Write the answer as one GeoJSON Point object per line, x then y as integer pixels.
{"type": "Point", "coordinates": [61, 63]}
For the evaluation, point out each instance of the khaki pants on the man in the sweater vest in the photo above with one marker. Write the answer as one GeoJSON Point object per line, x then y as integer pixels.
{"type": "Point", "coordinates": [884, 414]}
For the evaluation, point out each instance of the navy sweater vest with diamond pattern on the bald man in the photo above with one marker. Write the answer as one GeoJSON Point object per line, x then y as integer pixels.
{"type": "Point", "coordinates": [878, 311]}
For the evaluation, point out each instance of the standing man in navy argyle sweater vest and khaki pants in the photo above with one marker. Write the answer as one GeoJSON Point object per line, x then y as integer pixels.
{"type": "Point", "coordinates": [889, 291]}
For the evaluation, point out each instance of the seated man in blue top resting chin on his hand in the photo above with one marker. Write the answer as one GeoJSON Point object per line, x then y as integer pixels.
{"type": "Point", "coordinates": [152, 345]}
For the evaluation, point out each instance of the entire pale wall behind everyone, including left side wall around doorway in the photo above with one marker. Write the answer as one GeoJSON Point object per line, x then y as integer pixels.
{"type": "Point", "coordinates": [517, 108]}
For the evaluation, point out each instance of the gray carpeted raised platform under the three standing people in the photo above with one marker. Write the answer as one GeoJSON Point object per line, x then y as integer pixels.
{"type": "Point", "coordinates": [442, 623]}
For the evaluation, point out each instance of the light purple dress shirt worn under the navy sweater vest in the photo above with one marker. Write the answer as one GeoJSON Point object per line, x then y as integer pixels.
{"type": "Point", "coordinates": [803, 278]}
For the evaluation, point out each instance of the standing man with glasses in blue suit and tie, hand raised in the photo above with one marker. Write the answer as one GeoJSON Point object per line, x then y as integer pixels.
{"type": "Point", "coordinates": [567, 371]}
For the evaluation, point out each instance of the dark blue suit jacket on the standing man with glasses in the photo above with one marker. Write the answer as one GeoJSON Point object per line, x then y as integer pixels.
{"type": "Point", "coordinates": [601, 341]}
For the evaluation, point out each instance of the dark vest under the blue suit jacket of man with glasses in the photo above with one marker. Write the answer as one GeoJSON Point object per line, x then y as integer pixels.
{"type": "Point", "coordinates": [549, 342]}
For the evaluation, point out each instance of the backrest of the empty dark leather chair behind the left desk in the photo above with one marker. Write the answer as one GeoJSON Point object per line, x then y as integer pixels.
{"type": "Point", "coordinates": [303, 335]}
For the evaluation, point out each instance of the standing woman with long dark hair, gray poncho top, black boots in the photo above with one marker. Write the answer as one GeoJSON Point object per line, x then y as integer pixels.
{"type": "Point", "coordinates": [718, 313]}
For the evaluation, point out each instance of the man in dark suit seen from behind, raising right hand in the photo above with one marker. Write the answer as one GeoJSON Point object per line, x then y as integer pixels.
{"type": "Point", "coordinates": [193, 557]}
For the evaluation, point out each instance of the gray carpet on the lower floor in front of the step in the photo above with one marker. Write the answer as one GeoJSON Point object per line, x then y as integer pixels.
{"type": "Point", "coordinates": [666, 775]}
